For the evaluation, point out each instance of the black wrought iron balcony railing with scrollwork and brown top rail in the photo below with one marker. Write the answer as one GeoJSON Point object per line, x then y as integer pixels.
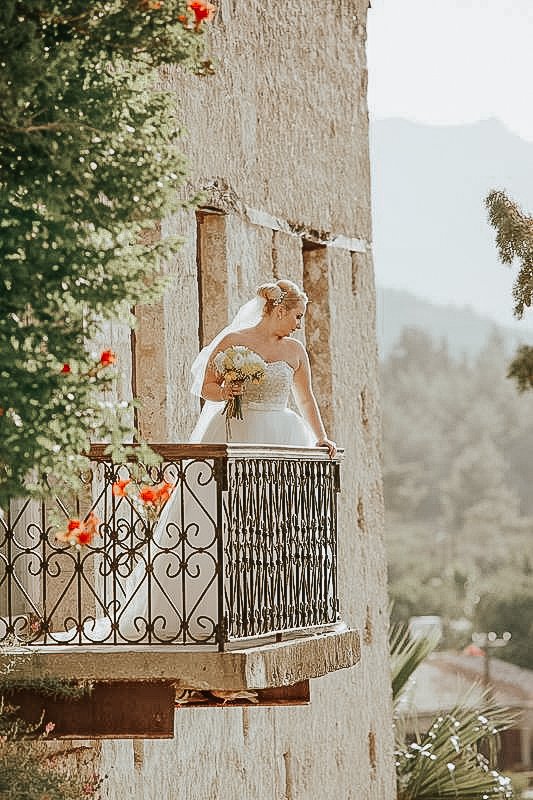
{"type": "Point", "coordinates": [245, 547]}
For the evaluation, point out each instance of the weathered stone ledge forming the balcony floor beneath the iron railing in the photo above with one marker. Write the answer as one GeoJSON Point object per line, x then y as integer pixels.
{"type": "Point", "coordinates": [258, 667]}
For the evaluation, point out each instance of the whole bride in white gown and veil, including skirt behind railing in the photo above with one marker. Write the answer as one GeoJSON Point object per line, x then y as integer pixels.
{"type": "Point", "coordinates": [161, 590]}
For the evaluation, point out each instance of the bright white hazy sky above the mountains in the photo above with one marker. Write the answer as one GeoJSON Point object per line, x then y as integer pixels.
{"type": "Point", "coordinates": [452, 61]}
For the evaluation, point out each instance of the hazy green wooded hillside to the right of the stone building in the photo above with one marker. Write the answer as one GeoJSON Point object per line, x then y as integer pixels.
{"type": "Point", "coordinates": [457, 451]}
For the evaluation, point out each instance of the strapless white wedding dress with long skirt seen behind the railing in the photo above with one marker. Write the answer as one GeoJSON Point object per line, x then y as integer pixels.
{"type": "Point", "coordinates": [177, 593]}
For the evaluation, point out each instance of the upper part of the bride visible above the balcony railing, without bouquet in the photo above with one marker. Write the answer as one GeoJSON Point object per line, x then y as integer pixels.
{"type": "Point", "coordinates": [263, 325]}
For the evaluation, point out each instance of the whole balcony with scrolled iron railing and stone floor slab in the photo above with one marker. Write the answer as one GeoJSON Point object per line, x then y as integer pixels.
{"type": "Point", "coordinates": [235, 587]}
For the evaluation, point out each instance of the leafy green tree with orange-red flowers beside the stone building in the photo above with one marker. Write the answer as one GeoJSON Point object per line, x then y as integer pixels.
{"type": "Point", "coordinates": [89, 165]}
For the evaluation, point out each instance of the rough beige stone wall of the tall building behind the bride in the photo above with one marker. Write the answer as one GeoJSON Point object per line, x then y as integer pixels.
{"type": "Point", "coordinates": [278, 138]}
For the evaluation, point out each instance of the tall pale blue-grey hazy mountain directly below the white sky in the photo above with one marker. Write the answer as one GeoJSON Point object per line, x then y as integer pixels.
{"type": "Point", "coordinates": [431, 234]}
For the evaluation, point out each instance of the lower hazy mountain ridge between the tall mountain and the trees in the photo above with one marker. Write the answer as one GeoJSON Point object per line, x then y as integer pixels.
{"type": "Point", "coordinates": [464, 330]}
